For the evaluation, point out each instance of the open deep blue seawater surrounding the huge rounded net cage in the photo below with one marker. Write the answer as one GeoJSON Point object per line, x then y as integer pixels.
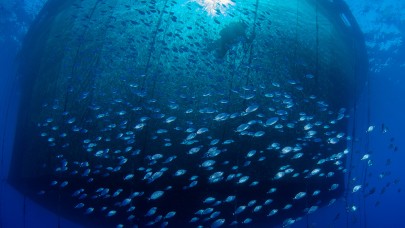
{"type": "Point", "coordinates": [375, 163]}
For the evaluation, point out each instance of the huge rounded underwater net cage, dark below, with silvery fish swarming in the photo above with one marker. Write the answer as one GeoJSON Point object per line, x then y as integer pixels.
{"type": "Point", "coordinates": [171, 105]}
